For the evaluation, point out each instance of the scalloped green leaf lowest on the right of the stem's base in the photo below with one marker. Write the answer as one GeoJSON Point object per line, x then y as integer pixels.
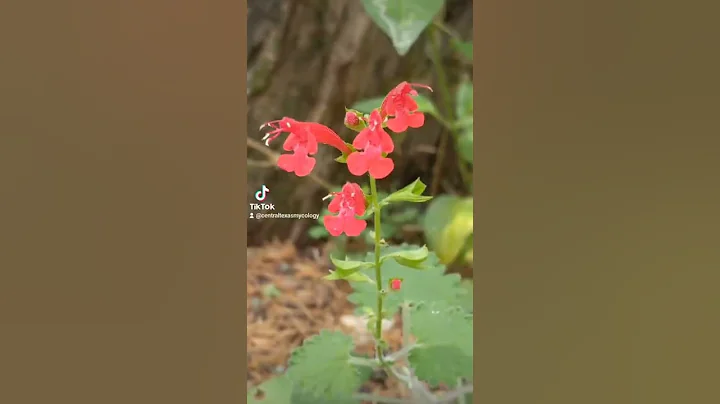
{"type": "Point", "coordinates": [446, 336]}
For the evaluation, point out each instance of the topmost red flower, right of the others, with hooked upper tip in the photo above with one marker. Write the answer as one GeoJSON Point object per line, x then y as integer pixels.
{"type": "Point", "coordinates": [402, 107]}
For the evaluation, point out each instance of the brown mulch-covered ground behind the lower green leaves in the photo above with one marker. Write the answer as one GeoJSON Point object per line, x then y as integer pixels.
{"type": "Point", "coordinates": [288, 301]}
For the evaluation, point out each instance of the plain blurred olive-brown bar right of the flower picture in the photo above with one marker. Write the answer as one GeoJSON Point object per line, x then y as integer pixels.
{"type": "Point", "coordinates": [597, 202]}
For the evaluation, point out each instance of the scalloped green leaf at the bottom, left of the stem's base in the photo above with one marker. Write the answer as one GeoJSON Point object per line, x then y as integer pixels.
{"type": "Point", "coordinates": [320, 368]}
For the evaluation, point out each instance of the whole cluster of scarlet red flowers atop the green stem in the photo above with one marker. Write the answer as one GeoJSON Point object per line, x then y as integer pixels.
{"type": "Point", "coordinates": [370, 148]}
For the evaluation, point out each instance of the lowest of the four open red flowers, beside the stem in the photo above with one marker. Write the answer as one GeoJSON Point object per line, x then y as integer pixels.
{"type": "Point", "coordinates": [347, 203]}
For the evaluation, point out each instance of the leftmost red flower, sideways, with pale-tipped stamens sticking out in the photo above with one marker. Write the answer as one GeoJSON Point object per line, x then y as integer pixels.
{"type": "Point", "coordinates": [302, 141]}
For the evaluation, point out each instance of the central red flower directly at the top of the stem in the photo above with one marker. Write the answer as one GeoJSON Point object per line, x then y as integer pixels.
{"type": "Point", "coordinates": [371, 143]}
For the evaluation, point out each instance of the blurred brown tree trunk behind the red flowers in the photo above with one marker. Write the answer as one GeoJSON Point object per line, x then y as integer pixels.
{"type": "Point", "coordinates": [309, 59]}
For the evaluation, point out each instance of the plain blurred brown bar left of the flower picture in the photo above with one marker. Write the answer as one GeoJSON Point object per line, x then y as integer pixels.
{"type": "Point", "coordinates": [123, 203]}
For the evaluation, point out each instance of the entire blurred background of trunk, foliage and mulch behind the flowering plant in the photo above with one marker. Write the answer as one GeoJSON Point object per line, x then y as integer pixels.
{"type": "Point", "coordinates": [310, 60]}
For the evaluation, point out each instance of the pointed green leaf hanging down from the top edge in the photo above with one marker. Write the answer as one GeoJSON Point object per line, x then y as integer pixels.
{"type": "Point", "coordinates": [402, 20]}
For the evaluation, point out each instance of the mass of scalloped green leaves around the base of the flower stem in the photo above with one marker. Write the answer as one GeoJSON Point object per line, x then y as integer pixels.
{"type": "Point", "coordinates": [439, 312]}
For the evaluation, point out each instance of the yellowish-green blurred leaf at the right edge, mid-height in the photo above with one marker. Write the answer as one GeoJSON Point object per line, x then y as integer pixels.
{"type": "Point", "coordinates": [455, 234]}
